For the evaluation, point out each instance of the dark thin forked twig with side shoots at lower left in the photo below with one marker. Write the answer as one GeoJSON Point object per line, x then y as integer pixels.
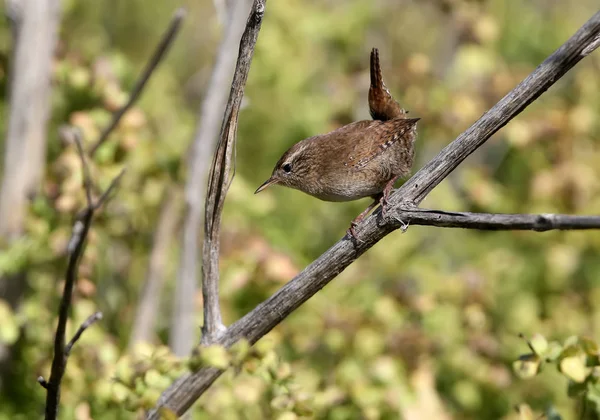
{"type": "Point", "coordinates": [75, 250]}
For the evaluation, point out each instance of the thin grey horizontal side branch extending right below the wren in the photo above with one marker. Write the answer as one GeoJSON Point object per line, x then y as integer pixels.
{"type": "Point", "coordinates": [486, 221]}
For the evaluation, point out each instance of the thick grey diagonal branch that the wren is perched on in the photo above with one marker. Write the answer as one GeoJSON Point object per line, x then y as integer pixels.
{"type": "Point", "coordinates": [182, 394]}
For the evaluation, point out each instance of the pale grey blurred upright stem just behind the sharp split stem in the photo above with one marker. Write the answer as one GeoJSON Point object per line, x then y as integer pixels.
{"type": "Point", "coordinates": [210, 120]}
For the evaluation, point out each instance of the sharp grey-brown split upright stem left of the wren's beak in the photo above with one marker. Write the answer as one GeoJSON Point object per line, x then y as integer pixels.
{"type": "Point", "coordinates": [221, 175]}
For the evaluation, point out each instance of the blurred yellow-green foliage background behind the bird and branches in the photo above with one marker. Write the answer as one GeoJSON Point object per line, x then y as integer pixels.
{"type": "Point", "coordinates": [425, 325]}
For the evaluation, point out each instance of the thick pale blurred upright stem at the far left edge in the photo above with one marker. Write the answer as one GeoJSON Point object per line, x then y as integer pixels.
{"type": "Point", "coordinates": [34, 26]}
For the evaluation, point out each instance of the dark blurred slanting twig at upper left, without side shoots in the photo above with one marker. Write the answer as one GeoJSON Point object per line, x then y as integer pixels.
{"type": "Point", "coordinates": [160, 52]}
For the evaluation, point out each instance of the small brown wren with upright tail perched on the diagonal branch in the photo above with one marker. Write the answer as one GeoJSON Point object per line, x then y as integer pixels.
{"type": "Point", "coordinates": [361, 159]}
